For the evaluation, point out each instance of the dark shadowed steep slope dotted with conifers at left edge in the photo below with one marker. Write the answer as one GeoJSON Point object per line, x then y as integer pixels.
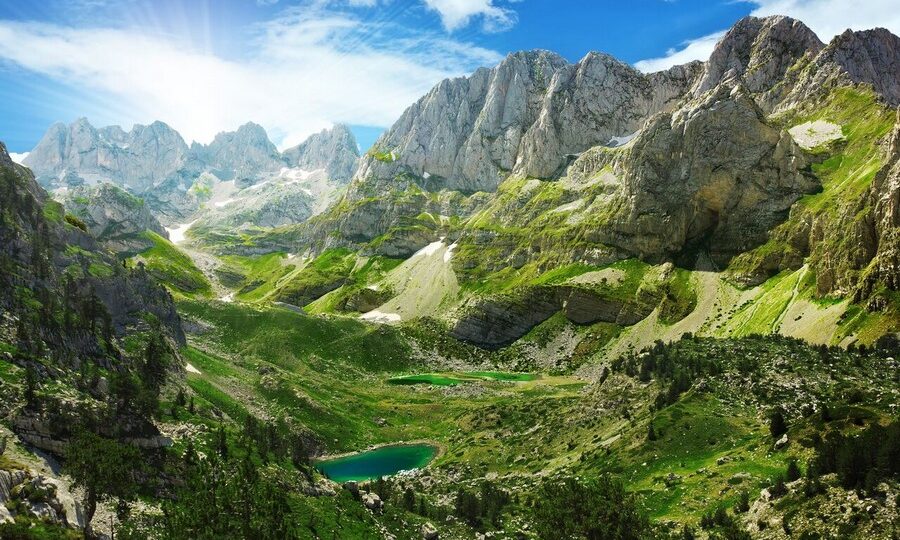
{"type": "Point", "coordinates": [60, 289]}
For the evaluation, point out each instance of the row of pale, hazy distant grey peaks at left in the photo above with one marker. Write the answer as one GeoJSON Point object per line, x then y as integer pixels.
{"type": "Point", "coordinates": [154, 163]}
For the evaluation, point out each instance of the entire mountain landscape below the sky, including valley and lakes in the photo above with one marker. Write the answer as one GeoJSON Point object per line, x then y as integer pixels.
{"type": "Point", "coordinates": [565, 298]}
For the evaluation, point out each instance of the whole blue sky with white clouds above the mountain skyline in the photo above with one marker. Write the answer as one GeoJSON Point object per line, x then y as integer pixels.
{"type": "Point", "coordinates": [298, 66]}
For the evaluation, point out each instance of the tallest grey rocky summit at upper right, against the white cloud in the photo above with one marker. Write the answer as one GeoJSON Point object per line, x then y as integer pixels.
{"type": "Point", "coordinates": [759, 50]}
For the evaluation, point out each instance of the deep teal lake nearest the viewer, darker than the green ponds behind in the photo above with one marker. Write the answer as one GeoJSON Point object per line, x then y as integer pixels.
{"type": "Point", "coordinates": [376, 463]}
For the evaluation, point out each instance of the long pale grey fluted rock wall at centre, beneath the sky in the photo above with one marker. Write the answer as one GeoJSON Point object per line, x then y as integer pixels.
{"type": "Point", "coordinates": [523, 117]}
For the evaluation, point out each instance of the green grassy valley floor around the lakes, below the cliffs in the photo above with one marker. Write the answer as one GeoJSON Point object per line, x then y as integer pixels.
{"type": "Point", "coordinates": [331, 375]}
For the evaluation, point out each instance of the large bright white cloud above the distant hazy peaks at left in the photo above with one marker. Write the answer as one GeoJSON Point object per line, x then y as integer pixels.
{"type": "Point", "coordinates": [308, 68]}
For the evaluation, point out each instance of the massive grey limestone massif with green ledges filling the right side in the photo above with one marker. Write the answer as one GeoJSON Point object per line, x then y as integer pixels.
{"type": "Point", "coordinates": [754, 162]}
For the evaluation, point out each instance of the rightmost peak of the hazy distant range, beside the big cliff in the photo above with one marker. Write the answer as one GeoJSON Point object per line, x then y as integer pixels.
{"type": "Point", "coordinates": [334, 150]}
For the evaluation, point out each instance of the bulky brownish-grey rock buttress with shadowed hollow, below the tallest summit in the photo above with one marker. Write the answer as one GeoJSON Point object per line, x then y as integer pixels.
{"type": "Point", "coordinates": [714, 175]}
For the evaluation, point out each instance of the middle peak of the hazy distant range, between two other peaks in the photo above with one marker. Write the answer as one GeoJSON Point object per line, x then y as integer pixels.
{"type": "Point", "coordinates": [241, 154]}
